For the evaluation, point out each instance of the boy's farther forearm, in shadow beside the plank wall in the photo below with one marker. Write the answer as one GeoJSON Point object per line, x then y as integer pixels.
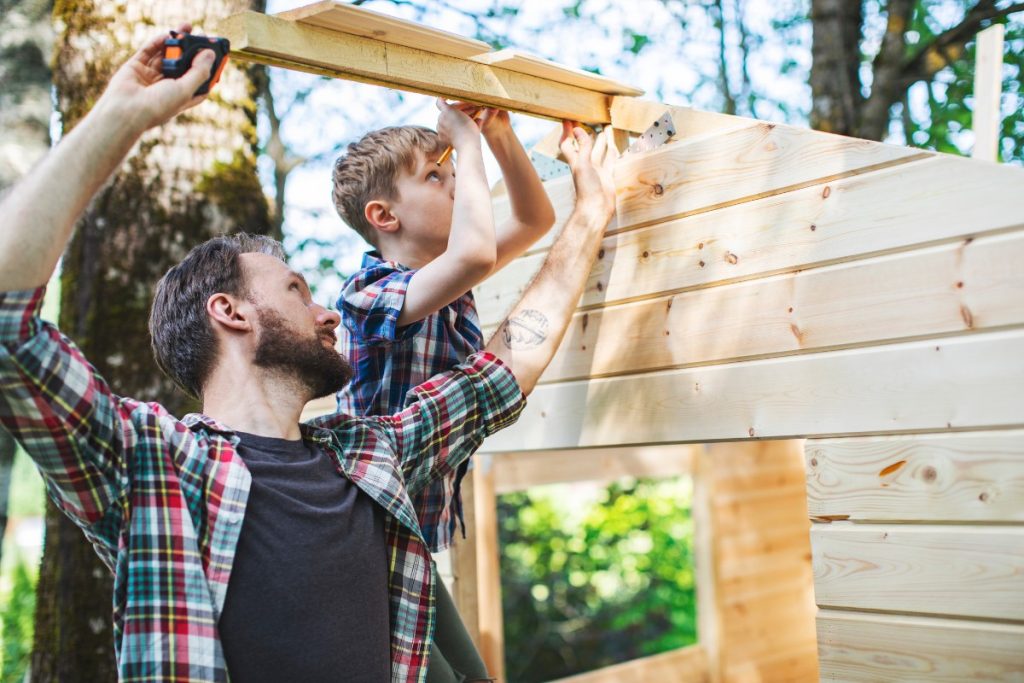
{"type": "Point", "coordinates": [530, 203]}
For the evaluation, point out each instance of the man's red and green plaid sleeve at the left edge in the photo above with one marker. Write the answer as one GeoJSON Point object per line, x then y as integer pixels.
{"type": "Point", "coordinates": [62, 411]}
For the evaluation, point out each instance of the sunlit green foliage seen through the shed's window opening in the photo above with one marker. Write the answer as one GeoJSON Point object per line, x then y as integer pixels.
{"type": "Point", "coordinates": [608, 582]}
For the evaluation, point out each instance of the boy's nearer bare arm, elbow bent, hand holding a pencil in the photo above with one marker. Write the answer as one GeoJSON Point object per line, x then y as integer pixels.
{"type": "Point", "coordinates": [471, 253]}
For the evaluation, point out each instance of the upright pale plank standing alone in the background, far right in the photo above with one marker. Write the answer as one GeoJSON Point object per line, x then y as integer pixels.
{"type": "Point", "coordinates": [988, 90]}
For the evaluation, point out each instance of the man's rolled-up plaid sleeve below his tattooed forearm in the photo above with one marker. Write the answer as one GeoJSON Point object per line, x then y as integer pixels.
{"type": "Point", "coordinates": [451, 415]}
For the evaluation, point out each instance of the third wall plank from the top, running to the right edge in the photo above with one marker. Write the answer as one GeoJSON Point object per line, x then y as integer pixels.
{"type": "Point", "coordinates": [937, 291]}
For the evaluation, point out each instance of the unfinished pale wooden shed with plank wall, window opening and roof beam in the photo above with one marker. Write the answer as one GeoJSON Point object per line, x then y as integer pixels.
{"type": "Point", "coordinates": [827, 333]}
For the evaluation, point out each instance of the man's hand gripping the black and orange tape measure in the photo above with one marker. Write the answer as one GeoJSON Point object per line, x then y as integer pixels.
{"type": "Point", "coordinates": [144, 98]}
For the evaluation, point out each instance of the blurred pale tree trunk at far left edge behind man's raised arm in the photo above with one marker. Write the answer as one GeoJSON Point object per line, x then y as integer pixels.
{"type": "Point", "coordinates": [25, 133]}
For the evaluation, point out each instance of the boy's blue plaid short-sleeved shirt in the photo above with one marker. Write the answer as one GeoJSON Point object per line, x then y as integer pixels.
{"type": "Point", "coordinates": [391, 361]}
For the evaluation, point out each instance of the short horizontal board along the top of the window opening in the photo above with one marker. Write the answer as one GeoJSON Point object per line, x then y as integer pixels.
{"type": "Point", "coordinates": [519, 472]}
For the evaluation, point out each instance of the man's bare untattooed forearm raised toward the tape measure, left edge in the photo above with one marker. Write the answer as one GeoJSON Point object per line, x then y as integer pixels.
{"type": "Point", "coordinates": [40, 211]}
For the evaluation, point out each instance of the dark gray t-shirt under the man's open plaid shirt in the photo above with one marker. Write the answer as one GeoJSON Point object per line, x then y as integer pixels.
{"type": "Point", "coordinates": [308, 600]}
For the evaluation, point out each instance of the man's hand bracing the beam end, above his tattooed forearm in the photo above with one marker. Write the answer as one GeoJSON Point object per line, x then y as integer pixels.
{"type": "Point", "coordinates": [592, 164]}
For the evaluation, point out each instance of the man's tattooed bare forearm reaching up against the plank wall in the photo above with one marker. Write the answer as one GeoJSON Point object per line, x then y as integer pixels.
{"type": "Point", "coordinates": [530, 336]}
